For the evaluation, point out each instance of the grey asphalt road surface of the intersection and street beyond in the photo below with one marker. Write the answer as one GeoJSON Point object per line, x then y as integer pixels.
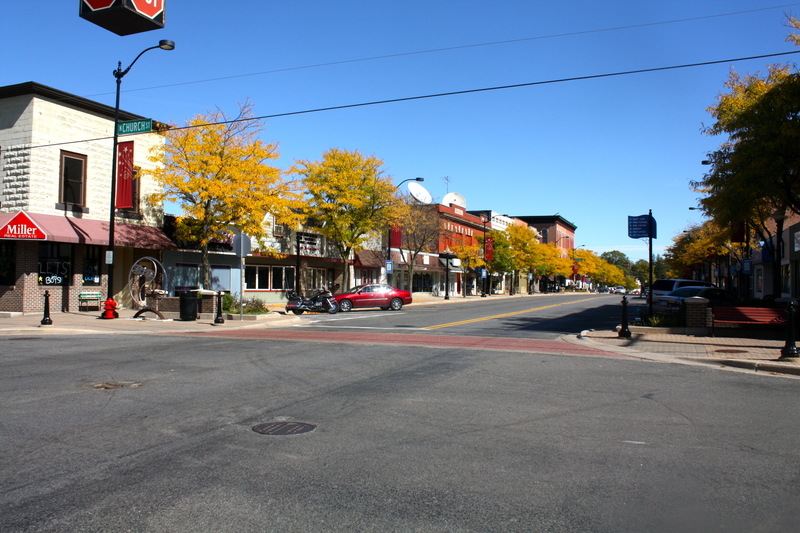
{"type": "Point", "coordinates": [125, 433]}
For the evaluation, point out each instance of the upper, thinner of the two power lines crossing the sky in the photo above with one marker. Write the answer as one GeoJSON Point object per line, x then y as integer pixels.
{"type": "Point", "coordinates": [458, 47]}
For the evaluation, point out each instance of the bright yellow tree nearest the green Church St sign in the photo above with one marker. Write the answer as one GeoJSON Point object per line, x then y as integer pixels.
{"type": "Point", "coordinates": [216, 168]}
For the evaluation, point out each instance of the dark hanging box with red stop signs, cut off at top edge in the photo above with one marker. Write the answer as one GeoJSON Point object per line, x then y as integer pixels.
{"type": "Point", "coordinates": [124, 17]}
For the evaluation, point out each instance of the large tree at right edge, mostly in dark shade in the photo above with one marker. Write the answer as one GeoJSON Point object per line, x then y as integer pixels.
{"type": "Point", "coordinates": [756, 170]}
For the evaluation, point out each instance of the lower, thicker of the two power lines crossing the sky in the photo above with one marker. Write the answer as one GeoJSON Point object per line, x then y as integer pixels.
{"type": "Point", "coordinates": [461, 92]}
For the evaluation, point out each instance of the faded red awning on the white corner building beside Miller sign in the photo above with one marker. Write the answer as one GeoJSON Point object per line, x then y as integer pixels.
{"type": "Point", "coordinates": [59, 228]}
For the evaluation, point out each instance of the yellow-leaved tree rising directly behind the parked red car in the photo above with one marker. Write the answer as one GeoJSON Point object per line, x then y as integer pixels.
{"type": "Point", "coordinates": [349, 199]}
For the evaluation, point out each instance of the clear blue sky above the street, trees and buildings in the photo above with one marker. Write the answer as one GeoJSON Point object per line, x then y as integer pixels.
{"type": "Point", "coordinates": [593, 151]}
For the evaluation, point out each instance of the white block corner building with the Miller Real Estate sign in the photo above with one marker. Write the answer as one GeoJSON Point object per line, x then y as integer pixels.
{"type": "Point", "coordinates": [55, 187]}
